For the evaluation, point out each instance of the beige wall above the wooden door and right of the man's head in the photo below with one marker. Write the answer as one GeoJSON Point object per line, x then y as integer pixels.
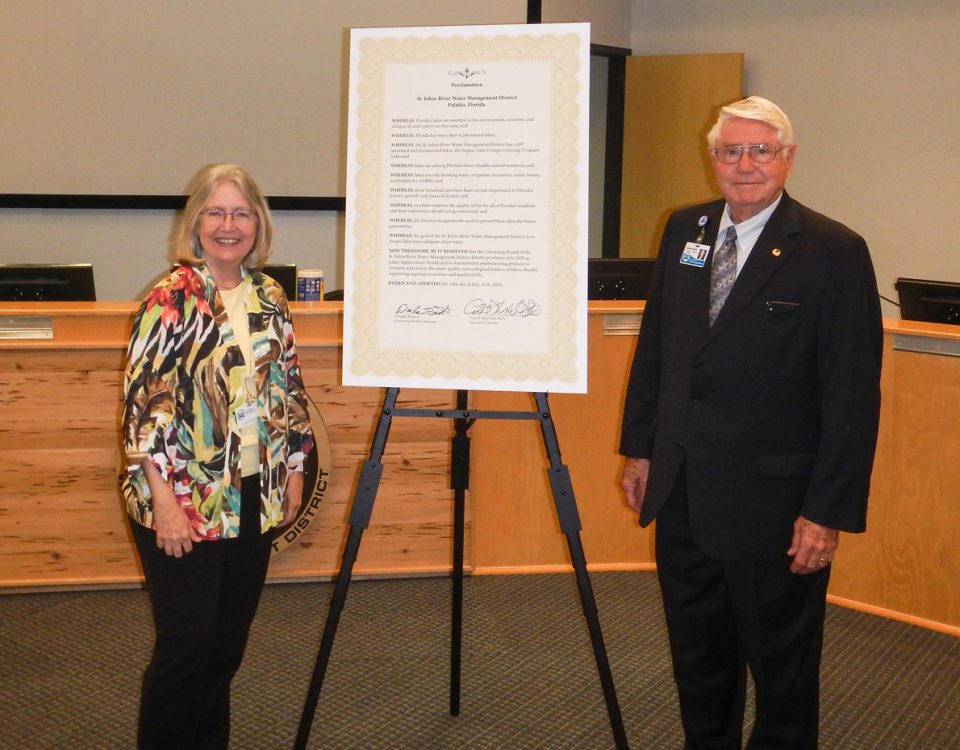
{"type": "Point", "coordinates": [871, 87]}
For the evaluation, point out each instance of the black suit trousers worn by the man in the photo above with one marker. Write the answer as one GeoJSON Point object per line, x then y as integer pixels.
{"type": "Point", "coordinates": [723, 616]}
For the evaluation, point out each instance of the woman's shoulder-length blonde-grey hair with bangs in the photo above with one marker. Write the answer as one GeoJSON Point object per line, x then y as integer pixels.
{"type": "Point", "coordinates": [187, 243]}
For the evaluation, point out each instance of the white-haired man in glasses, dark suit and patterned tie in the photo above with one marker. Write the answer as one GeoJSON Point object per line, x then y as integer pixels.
{"type": "Point", "coordinates": [749, 430]}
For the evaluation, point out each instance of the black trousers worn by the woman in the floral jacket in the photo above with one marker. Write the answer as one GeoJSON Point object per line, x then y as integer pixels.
{"type": "Point", "coordinates": [203, 605]}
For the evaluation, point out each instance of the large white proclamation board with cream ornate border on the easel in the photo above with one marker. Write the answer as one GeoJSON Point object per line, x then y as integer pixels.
{"type": "Point", "coordinates": [466, 218]}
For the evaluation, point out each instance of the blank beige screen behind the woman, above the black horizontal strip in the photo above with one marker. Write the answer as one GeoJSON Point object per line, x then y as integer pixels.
{"type": "Point", "coordinates": [132, 96]}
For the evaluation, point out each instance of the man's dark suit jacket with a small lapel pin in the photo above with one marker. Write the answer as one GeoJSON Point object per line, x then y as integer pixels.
{"type": "Point", "coordinates": [772, 411]}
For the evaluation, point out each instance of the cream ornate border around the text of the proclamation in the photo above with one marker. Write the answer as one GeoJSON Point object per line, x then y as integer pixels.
{"type": "Point", "coordinates": [558, 363]}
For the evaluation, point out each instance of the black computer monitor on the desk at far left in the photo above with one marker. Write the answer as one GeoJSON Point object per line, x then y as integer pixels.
{"type": "Point", "coordinates": [48, 282]}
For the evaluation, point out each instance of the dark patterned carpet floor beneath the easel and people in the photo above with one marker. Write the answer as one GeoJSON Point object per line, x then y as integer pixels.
{"type": "Point", "coordinates": [70, 665]}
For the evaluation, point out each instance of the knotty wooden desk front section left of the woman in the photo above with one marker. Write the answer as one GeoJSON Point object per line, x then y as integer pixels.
{"type": "Point", "coordinates": [61, 514]}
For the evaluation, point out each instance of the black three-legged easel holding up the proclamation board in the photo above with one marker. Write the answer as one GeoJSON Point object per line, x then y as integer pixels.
{"type": "Point", "coordinates": [362, 507]}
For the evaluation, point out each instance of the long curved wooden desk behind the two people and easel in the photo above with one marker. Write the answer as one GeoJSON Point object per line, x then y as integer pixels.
{"type": "Point", "coordinates": [62, 523]}
